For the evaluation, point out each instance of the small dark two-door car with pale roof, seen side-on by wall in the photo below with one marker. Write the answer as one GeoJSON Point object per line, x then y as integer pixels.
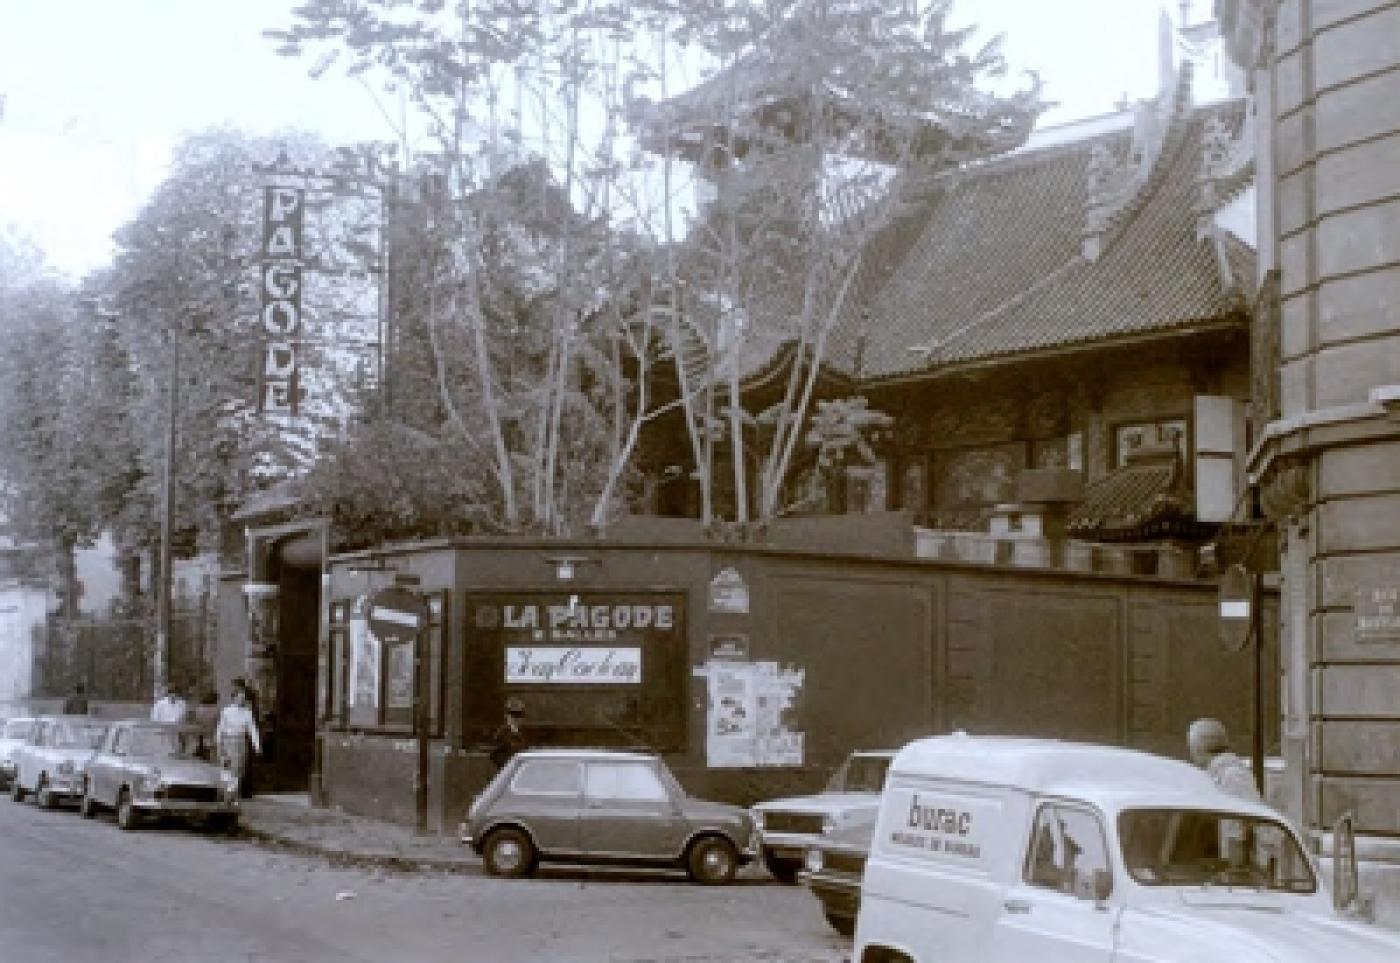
{"type": "Point", "coordinates": [600, 807]}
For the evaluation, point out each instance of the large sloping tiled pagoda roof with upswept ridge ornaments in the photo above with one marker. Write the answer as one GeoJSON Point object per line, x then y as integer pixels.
{"type": "Point", "coordinates": [997, 268]}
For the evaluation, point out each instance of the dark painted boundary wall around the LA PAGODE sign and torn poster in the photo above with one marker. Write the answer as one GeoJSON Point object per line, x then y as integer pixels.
{"type": "Point", "coordinates": [891, 650]}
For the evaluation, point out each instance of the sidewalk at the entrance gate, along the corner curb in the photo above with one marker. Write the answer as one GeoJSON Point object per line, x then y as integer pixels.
{"type": "Point", "coordinates": [290, 821]}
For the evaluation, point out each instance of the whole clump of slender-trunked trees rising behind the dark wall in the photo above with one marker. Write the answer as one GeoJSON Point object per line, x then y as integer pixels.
{"type": "Point", "coordinates": [825, 118]}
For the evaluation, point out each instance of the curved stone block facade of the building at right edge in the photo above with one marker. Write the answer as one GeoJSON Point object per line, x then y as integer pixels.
{"type": "Point", "coordinates": [1328, 97]}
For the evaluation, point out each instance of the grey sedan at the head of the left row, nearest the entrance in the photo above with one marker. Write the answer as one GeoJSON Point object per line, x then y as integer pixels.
{"type": "Point", "coordinates": [160, 769]}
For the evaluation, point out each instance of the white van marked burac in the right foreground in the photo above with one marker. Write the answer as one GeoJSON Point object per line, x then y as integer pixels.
{"type": "Point", "coordinates": [1020, 850]}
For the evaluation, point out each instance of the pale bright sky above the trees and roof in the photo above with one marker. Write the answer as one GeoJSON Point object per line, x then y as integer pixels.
{"type": "Point", "coordinates": [96, 93]}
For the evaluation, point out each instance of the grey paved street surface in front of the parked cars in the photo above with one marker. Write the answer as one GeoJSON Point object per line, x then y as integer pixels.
{"type": "Point", "coordinates": [78, 892]}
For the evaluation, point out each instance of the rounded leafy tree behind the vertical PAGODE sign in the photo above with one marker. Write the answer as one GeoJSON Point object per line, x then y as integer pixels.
{"type": "Point", "coordinates": [184, 293]}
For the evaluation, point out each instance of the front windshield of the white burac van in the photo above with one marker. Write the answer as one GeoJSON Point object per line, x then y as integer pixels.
{"type": "Point", "coordinates": [1195, 848]}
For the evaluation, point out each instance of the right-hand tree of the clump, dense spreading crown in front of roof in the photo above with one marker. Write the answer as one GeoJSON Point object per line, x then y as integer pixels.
{"type": "Point", "coordinates": [825, 121]}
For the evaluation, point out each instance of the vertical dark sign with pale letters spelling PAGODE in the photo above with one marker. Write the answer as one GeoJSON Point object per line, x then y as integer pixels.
{"type": "Point", "coordinates": [282, 234]}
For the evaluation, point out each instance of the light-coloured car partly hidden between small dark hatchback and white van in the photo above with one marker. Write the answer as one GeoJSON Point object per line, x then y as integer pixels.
{"type": "Point", "coordinates": [789, 828]}
